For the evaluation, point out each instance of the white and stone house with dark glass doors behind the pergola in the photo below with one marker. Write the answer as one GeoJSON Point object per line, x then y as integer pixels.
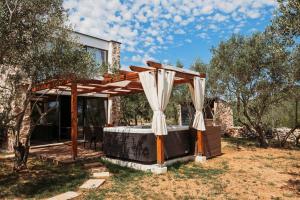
{"type": "Point", "coordinates": [92, 108]}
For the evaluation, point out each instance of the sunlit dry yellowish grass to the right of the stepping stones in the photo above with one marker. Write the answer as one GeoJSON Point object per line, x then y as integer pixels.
{"type": "Point", "coordinates": [242, 172]}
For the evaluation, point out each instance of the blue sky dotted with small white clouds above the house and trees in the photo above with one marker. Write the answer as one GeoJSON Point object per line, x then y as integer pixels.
{"type": "Point", "coordinates": [167, 30]}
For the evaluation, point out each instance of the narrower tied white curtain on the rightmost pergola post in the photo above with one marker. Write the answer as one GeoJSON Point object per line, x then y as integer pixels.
{"type": "Point", "coordinates": [197, 93]}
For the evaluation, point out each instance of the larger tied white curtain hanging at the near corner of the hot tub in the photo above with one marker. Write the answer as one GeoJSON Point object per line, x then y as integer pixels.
{"type": "Point", "coordinates": [158, 94]}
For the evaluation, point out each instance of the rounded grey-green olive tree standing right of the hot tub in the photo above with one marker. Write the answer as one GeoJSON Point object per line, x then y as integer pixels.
{"type": "Point", "coordinates": [254, 74]}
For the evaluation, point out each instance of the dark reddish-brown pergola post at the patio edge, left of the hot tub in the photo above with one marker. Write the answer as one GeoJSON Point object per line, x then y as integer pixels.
{"type": "Point", "coordinates": [74, 120]}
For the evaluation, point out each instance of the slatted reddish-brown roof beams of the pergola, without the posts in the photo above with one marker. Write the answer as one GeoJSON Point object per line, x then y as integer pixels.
{"type": "Point", "coordinates": [109, 84]}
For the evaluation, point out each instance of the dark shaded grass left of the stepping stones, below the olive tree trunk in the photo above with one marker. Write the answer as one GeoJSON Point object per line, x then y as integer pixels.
{"type": "Point", "coordinates": [40, 180]}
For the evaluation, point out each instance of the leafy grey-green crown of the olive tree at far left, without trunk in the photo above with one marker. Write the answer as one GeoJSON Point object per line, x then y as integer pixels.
{"type": "Point", "coordinates": [35, 38]}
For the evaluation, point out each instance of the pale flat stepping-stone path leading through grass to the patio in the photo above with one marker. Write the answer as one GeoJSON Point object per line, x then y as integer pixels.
{"type": "Point", "coordinates": [99, 173]}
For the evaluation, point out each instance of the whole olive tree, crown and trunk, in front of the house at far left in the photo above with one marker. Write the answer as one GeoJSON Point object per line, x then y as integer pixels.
{"type": "Point", "coordinates": [35, 45]}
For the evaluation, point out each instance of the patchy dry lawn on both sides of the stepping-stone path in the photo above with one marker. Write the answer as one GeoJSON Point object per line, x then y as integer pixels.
{"type": "Point", "coordinates": [242, 172]}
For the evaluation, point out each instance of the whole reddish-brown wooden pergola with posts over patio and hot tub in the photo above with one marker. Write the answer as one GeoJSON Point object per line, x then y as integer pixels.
{"type": "Point", "coordinates": [121, 83]}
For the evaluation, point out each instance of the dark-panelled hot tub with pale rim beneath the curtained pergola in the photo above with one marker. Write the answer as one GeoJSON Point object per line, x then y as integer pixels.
{"type": "Point", "coordinates": [138, 143]}
